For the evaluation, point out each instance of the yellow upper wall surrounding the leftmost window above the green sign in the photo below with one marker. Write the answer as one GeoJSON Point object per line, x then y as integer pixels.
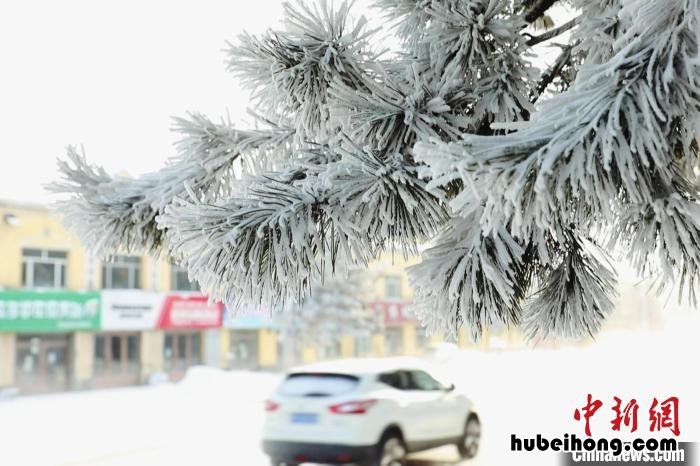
{"type": "Point", "coordinates": [37, 228]}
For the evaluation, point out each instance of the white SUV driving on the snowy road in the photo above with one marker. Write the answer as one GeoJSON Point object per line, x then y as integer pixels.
{"type": "Point", "coordinates": [367, 412]}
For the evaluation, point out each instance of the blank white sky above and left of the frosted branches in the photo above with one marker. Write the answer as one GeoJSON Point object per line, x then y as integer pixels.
{"type": "Point", "coordinates": [109, 76]}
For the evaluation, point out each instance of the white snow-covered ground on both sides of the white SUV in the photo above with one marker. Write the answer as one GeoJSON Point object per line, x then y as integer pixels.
{"type": "Point", "coordinates": [214, 417]}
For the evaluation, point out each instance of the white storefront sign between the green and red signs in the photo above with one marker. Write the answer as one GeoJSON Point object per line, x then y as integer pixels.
{"type": "Point", "coordinates": [130, 309]}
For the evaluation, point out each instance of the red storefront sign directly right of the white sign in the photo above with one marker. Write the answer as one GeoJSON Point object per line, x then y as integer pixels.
{"type": "Point", "coordinates": [190, 311]}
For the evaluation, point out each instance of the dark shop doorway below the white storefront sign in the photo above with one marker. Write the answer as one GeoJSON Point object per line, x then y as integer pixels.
{"type": "Point", "coordinates": [116, 360]}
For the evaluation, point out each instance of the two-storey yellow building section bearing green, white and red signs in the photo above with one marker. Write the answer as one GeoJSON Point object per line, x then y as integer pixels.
{"type": "Point", "coordinates": [71, 321]}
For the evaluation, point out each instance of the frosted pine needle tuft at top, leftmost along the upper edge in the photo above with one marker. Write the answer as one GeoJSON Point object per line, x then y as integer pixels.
{"type": "Point", "coordinates": [290, 71]}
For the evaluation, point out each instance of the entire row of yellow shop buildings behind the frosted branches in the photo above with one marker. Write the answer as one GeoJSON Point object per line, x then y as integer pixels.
{"type": "Point", "coordinates": [71, 321]}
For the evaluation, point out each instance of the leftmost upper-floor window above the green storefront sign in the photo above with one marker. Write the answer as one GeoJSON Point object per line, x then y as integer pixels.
{"type": "Point", "coordinates": [43, 268]}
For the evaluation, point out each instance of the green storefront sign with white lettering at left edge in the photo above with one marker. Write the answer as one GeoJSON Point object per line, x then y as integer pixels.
{"type": "Point", "coordinates": [49, 311]}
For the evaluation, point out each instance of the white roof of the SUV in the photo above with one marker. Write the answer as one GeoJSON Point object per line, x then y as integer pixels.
{"type": "Point", "coordinates": [361, 366]}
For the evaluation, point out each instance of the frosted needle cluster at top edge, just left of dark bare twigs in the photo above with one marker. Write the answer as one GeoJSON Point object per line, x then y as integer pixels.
{"type": "Point", "coordinates": [476, 43]}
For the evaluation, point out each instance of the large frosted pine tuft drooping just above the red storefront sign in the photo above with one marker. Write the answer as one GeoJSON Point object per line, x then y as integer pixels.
{"type": "Point", "coordinates": [266, 248]}
